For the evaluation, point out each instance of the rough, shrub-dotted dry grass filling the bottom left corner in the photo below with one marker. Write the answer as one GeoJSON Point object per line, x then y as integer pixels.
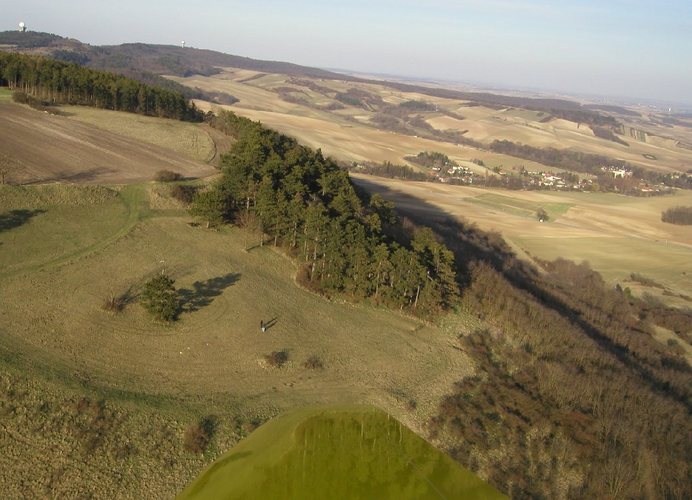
{"type": "Point", "coordinates": [95, 447]}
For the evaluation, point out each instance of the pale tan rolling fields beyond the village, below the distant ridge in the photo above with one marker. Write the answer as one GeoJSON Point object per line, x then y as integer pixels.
{"type": "Point", "coordinates": [346, 135]}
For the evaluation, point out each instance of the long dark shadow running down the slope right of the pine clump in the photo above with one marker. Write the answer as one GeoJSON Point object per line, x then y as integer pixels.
{"type": "Point", "coordinates": [468, 243]}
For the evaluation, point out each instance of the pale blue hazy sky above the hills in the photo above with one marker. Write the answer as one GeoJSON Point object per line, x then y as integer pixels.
{"type": "Point", "coordinates": [616, 48]}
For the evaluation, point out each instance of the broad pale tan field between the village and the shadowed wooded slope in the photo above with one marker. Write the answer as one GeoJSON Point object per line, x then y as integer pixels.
{"type": "Point", "coordinates": [618, 235]}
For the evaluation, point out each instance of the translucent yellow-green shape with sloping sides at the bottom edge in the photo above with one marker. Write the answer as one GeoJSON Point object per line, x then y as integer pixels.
{"type": "Point", "coordinates": [337, 452]}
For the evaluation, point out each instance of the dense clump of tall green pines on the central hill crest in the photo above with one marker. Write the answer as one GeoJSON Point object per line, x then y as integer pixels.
{"type": "Point", "coordinates": [345, 243]}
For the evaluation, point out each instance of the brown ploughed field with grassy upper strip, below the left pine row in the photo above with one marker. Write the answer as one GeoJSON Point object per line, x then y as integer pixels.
{"type": "Point", "coordinates": [40, 147]}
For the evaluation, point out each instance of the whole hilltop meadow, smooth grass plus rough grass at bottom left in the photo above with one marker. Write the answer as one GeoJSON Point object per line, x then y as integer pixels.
{"type": "Point", "coordinates": [100, 393]}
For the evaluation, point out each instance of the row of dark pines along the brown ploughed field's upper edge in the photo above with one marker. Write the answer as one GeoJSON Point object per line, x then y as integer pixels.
{"type": "Point", "coordinates": [57, 82]}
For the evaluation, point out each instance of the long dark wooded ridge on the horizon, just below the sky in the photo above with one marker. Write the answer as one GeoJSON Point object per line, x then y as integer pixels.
{"type": "Point", "coordinates": [142, 61]}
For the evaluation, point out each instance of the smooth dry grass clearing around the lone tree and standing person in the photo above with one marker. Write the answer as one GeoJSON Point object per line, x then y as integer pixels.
{"type": "Point", "coordinates": [215, 344]}
